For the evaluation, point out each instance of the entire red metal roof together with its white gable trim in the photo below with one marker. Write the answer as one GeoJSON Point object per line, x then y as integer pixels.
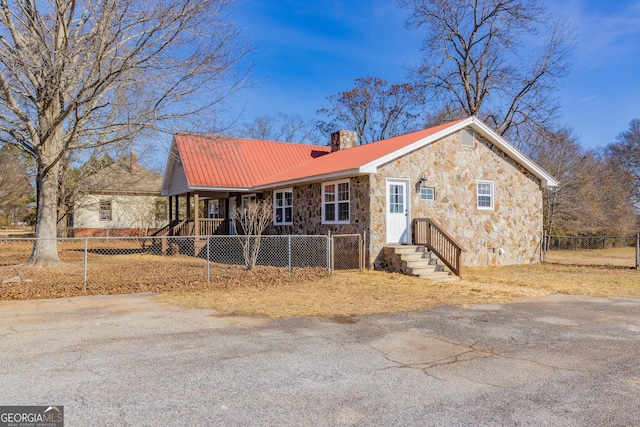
{"type": "Point", "coordinates": [235, 163]}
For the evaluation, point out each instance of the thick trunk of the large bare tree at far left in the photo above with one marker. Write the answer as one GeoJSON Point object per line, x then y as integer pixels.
{"type": "Point", "coordinates": [45, 247]}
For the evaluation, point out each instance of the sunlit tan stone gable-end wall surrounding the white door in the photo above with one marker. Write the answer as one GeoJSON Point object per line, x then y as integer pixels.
{"type": "Point", "coordinates": [515, 224]}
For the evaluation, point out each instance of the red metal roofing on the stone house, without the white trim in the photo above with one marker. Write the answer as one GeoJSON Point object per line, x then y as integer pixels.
{"type": "Point", "coordinates": [222, 162]}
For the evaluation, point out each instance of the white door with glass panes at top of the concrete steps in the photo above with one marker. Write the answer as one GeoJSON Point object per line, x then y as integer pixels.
{"type": "Point", "coordinates": [398, 210]}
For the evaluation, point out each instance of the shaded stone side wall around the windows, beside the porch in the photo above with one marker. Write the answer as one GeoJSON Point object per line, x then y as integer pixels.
{"type": "Point", "coordinates": [307, 210]}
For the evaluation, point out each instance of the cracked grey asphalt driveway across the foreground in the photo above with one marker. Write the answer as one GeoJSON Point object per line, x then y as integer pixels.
{"type": "Point", "coordinates": [128, 360]}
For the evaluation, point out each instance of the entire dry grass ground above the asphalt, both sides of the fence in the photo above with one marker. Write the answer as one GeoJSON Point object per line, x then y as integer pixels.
{"type": "Point", "coordinates": [275, 293]}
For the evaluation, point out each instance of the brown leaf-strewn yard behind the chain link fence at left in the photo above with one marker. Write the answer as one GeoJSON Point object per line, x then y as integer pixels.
{"type": "Point", "coordinates": [129, 272]}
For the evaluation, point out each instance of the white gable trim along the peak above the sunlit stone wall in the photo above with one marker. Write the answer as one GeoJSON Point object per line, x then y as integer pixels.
{"type": "Point", "coordinates": [546, 180]}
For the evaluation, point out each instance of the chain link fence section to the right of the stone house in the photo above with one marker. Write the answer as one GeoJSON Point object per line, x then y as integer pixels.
{"type": "Point", "coordinates": [620, 251]}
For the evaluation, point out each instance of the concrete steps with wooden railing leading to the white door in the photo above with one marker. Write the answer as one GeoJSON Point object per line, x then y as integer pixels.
{"type": "Point", "coordinates": [416, 261]}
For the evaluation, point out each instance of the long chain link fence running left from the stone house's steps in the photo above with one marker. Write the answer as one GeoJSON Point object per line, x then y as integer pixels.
{"type": "Point", "coordinates": [95, 261]}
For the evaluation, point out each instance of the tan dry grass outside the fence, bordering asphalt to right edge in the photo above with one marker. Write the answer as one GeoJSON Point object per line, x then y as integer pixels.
{"type": "Point", "coordinates": [355, 293]}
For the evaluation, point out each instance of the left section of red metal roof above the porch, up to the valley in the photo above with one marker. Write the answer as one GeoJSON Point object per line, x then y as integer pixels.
{"type": "Point", "coordinates": [211, 161]}
